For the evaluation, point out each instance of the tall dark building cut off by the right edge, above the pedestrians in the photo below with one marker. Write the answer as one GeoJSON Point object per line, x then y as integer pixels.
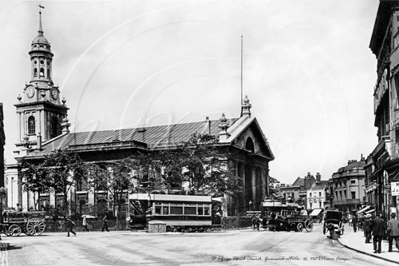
{"type": "Point", "coordinates": [382, 166]}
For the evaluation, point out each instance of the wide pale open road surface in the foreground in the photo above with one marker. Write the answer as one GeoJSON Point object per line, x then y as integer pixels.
{"type": "Point", "coordinates": [239, 247]}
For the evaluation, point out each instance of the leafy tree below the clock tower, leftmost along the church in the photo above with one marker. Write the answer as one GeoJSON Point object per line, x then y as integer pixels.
{"type": "Point", "coordinates": [59, 172]}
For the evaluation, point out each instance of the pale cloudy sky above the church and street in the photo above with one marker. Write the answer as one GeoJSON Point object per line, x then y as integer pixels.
{"type": "Point", "coordinates": [307, 70]}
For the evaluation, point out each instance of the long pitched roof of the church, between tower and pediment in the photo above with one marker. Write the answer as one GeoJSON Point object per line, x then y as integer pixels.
{"type": "Point", "coordinates": [154, 136]}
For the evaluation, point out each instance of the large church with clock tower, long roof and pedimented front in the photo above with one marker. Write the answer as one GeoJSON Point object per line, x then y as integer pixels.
{"type": "Point", "coordinates": [43, 128]}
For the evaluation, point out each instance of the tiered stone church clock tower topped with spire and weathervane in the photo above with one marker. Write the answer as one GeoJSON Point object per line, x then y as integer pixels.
{"type": "Point", "coordinates": [40, 111]}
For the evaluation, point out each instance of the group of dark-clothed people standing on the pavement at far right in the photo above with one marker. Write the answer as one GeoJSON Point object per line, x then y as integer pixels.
{"type": "Point", "coordinates": [377, 228]}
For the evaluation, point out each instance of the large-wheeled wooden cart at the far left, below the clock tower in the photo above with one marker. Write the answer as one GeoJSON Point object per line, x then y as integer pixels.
{"type": "Point", "coordinates": [16, 222]}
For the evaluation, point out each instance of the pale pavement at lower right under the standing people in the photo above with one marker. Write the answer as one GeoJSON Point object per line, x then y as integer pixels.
{"type": "Point", "coordinates": [356, 241]}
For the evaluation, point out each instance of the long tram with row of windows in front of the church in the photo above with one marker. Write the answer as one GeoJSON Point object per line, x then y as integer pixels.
{"type": "Point", "coordinates": [178, 212]}
